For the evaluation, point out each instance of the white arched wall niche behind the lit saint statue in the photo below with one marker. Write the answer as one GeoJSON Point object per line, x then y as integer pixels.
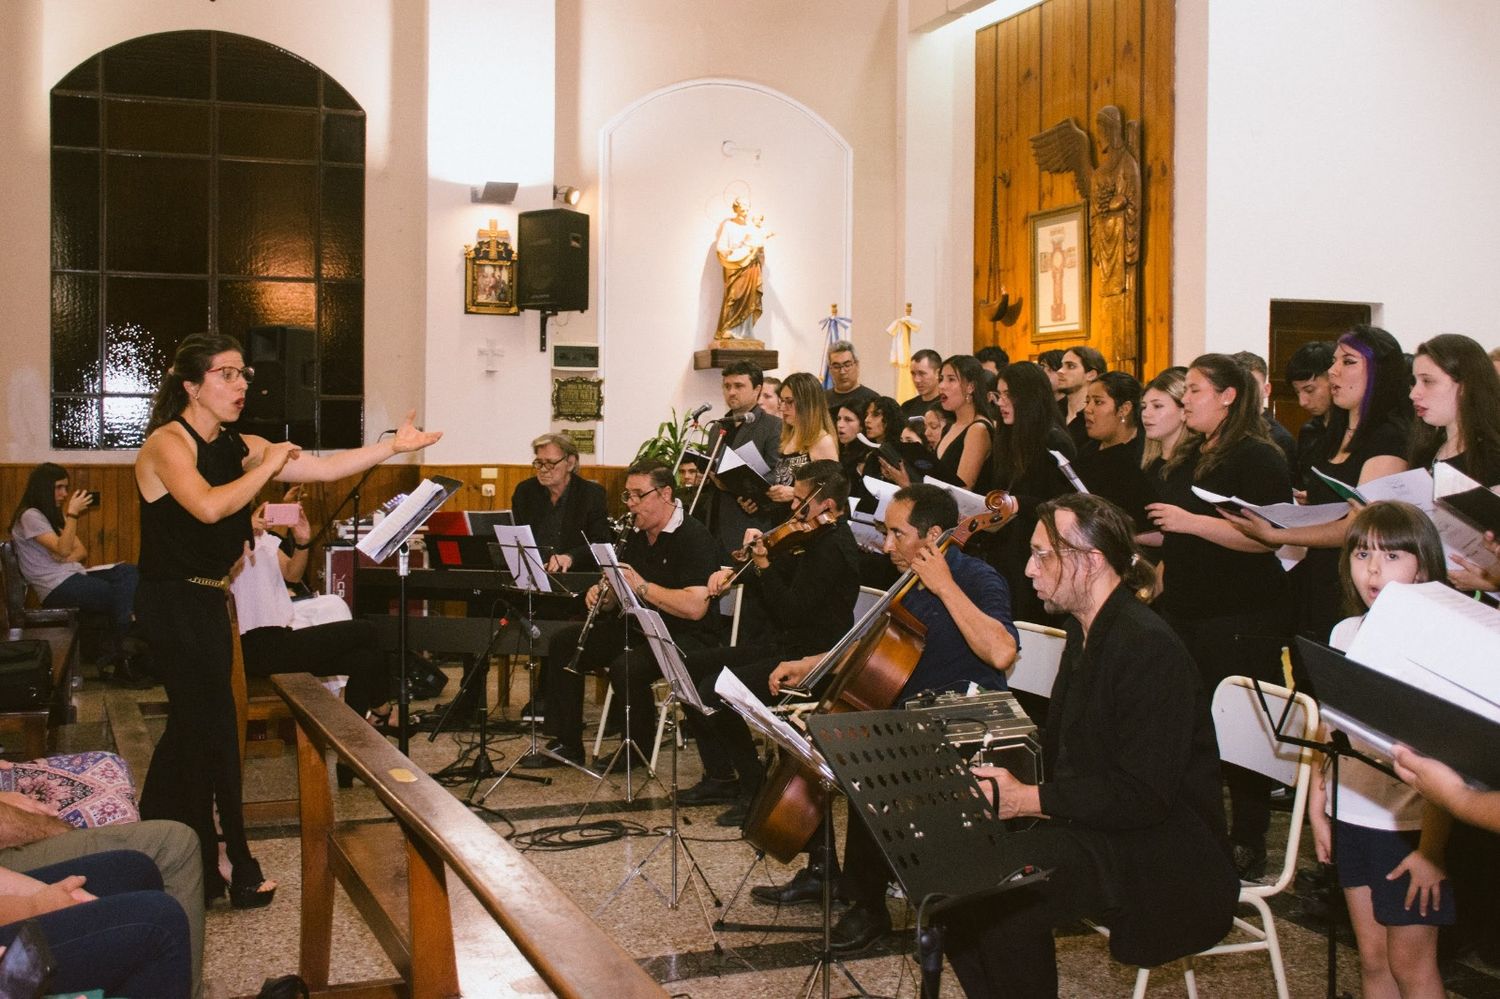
{"type": "Point", "coordinates": [667, 185]}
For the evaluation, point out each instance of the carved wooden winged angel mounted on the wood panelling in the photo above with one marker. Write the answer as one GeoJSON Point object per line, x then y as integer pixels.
{"type": "Point", "coordinates": [1115, 199]}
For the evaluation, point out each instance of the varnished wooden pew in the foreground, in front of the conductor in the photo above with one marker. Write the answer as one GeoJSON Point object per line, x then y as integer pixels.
{"type": "Point", "coordinates": [407, 904]}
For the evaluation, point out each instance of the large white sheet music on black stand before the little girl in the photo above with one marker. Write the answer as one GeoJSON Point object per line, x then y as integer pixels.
{"type": "Point", "coordinates": [1438, 640]}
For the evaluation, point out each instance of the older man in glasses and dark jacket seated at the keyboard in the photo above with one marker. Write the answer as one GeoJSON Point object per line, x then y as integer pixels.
{"type": "Point", "coordinates": [562, 508]}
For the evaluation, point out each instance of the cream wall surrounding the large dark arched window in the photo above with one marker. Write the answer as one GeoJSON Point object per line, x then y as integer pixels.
{"type": "Point", "coordinates": [377, 50]}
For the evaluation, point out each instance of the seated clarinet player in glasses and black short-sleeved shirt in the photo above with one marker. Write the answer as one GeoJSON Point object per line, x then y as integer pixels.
{"type": "Point", "coordinates": [668, 560]}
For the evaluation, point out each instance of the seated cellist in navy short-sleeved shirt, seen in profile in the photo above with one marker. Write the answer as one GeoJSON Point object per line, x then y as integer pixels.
{"type": "Point", "coordinates": [965, 608]}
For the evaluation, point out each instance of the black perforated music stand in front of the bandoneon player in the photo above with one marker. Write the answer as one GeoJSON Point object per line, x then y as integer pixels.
{"type": "Point", "coordinates": [925, 811]}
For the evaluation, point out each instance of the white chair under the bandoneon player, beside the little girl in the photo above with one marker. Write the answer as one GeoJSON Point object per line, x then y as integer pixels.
{"type": "Point", "coordinates": [1247, 740]}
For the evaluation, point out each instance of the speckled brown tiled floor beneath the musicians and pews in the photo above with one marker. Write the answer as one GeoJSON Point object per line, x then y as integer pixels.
{"type": "Point", "coordinates": [680, 947]}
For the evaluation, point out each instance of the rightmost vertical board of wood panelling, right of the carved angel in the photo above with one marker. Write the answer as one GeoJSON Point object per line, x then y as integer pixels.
{"type": "Point", "coordinates": [1159, 112]}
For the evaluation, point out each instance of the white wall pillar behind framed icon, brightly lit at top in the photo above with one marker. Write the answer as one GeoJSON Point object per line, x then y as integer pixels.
{"type": "Point", "coordinates": [490, 118]}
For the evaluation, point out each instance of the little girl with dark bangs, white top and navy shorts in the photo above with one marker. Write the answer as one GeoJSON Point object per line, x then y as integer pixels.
{"type": "Point", "coordinates": [1390, 845]}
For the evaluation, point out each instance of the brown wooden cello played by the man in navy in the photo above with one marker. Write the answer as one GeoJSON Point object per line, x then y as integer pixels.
{"type": "Point", "coordinates": [871, 665]}
